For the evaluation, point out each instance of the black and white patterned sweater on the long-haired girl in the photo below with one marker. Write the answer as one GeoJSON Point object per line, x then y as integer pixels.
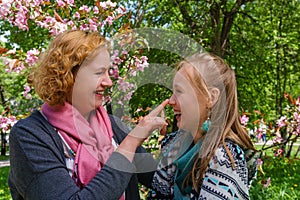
{"type": "Point", "coordinates": [220, 181]}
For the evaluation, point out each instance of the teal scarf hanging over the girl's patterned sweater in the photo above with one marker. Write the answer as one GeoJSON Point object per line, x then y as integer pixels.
{"type": "Point", "coordinates": [184, 165]}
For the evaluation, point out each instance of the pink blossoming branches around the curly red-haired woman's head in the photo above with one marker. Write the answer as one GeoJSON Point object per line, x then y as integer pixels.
{"type": "Point", "coordinates": [54, 17]}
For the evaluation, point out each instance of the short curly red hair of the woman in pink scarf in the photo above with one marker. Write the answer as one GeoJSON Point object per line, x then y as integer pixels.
{"type": "Point", "coordinates": [54, 76]}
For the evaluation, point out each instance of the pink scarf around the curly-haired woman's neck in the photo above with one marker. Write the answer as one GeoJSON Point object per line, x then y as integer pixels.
{"type": "Point", "coordinates": [92, 142]}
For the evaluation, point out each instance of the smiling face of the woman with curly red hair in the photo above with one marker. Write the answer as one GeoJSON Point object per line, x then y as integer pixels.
{"type": "Point", "coordinates": [91, 81]}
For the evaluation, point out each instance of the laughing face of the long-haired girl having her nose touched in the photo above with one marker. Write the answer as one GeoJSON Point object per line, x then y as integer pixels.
{"type": "Point", "coordinates": [190, 107]}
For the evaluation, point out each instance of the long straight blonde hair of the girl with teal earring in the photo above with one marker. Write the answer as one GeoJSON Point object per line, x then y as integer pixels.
{"type": "Point", "coordinates": [210, 71]}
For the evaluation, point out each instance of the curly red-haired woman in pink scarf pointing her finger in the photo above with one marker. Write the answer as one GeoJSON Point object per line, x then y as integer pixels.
{"type": "Point", "coordinates": [71, 148]}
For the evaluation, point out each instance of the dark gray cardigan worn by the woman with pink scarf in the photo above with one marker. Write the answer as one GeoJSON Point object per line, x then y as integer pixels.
{"type": "Point", "coordinates": [38, 169]}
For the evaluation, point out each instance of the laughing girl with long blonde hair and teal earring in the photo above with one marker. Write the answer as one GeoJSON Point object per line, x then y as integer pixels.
{"type": "Point", "coordinates": [209, 157]}
